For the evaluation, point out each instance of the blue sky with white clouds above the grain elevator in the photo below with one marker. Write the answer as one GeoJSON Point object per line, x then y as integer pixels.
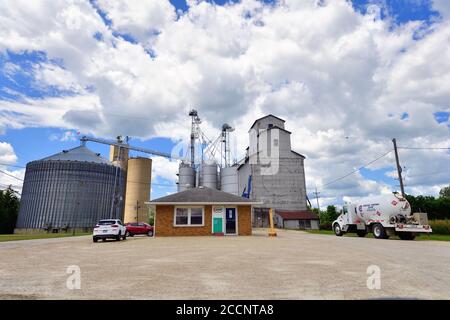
{"type": "Point", "coordinates": [347, 76]}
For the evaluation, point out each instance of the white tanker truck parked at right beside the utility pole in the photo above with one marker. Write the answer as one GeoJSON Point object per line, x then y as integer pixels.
{"type": "Point", "coordinates": [383, 216]}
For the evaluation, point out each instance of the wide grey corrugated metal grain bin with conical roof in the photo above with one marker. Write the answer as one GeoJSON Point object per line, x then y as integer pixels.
{"type": "Point", "coordinates": [71, 189]}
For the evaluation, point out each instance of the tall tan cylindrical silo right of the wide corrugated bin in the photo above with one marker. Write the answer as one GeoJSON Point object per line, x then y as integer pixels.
{"type": "Point", "coordinates": [139, 175]}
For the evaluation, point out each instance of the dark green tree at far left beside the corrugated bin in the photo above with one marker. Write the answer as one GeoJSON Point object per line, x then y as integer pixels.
{"type": "Point", "coordinates": [9, 210]}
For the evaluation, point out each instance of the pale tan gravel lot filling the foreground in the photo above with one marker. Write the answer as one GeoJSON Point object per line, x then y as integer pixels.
{"type": "Point", "coordinates": [295, 265]}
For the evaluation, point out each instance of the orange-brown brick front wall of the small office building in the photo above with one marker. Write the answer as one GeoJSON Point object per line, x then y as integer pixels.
{"type": "Point", "coordinates": [164, 222]}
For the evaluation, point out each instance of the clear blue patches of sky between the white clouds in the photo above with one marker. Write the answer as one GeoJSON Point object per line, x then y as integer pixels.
{"type": "Point", "coordinates": [31, 143]}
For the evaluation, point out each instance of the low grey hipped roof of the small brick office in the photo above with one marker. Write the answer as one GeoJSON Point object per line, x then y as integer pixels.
{"type": "Point", "coordinates": [204, 196]}
